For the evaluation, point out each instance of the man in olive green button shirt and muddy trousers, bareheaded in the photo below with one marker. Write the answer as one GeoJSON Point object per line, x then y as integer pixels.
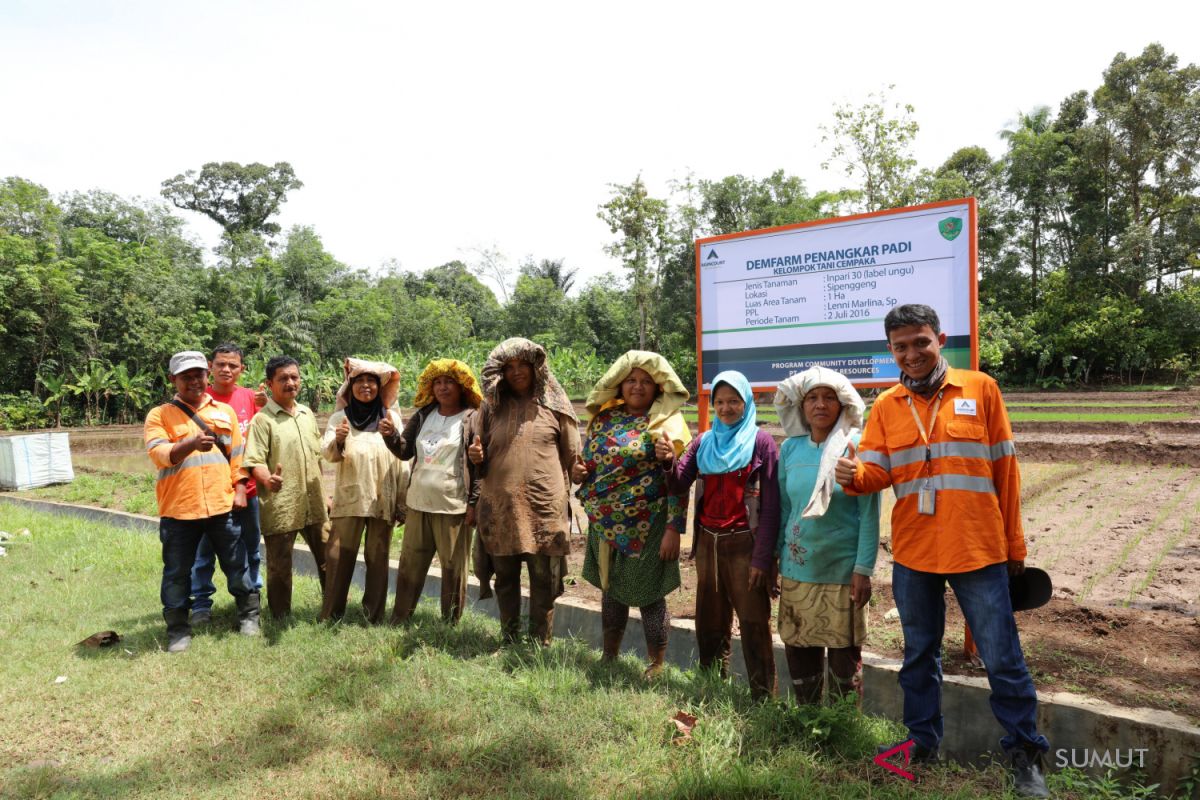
{"type": "Point", "coordinates": [284, 454]}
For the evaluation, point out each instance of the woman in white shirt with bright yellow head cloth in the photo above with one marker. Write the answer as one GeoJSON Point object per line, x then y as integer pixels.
{"type": "Point", "coordinates": [442, 491]}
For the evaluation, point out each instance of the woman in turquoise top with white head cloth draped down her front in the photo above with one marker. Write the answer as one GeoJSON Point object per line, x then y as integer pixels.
{"type": "Point", "coordinates": [829, 540]}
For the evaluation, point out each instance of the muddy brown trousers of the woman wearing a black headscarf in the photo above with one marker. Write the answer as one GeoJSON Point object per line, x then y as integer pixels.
{"type": "Point", "coordinates": [341, 558]}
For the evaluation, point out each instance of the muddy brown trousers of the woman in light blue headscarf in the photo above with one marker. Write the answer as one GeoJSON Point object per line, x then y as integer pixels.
{"type": "Point", "coordinates": [723, 587]}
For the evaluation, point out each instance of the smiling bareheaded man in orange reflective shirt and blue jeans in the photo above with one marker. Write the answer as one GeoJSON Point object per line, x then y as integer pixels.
{"type": "Point", "coordinates": [943, 441]}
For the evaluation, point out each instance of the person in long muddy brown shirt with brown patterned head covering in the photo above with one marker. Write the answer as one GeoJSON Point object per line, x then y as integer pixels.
{"type": "Point", "coordinates": [527, 438]}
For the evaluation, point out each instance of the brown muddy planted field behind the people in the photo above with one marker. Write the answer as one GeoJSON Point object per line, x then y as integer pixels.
{"type": "Point", "coordinates": [1111, 510]}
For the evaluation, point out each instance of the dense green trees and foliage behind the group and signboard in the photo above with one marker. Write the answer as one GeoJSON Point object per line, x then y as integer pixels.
{"type": "Point", "coordinates": [1089, 240]}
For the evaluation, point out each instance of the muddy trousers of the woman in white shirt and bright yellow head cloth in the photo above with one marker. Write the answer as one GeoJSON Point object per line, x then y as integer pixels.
{"type": "Point", "coordinates": [425, 536]}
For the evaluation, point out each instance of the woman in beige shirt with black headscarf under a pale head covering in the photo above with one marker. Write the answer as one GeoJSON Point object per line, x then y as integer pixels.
{"type": "Point", "coordinates": [369, 494]}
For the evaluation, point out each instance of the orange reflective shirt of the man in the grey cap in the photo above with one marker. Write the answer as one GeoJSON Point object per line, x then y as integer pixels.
{"type": "Point", "coordinates": [202, 485]}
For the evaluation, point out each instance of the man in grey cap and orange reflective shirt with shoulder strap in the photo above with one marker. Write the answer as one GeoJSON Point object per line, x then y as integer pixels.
{"type": "Point", "coordinates": [197, 447]}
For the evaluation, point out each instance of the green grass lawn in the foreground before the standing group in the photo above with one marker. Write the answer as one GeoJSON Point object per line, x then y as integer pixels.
{"type": "Point", "coordinates": [316, 711]}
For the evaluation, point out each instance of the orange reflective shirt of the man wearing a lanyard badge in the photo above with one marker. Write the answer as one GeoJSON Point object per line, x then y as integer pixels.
{"type": "Point", "coordinates": [973, 466]}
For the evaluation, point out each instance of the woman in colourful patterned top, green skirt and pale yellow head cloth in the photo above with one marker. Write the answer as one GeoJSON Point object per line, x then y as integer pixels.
{"type": "Point", "coordinates": [634, 524]}
